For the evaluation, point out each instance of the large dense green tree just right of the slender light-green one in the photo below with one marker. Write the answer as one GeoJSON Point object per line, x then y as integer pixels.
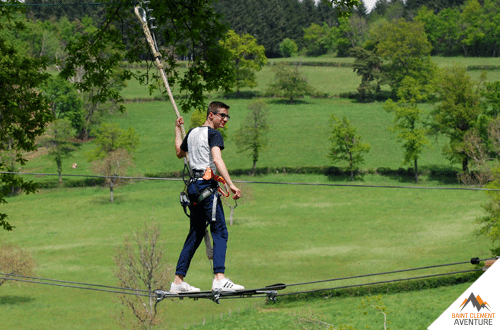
{"type": "Point", "coordinates": [458, 110]}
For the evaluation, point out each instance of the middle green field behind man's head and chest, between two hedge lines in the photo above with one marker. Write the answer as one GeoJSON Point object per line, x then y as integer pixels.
{"type": "Point", "coordinates": [299, 137]}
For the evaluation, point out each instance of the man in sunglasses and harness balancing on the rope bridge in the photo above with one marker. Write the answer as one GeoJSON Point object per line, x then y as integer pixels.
{"type": "Point", "coordinates": [203, 146]}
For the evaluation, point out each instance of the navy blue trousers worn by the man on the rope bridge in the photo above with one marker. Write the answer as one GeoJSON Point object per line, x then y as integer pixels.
{"type": "Point", "coordinates": [201, 215]}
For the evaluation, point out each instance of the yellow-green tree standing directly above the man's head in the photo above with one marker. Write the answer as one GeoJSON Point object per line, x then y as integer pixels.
{"type": "Point", "coordinates": [247, 57]}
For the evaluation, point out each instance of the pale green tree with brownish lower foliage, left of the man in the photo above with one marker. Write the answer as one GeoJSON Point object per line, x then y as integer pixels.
{"type": "Point", "coordinates": [113, 153]}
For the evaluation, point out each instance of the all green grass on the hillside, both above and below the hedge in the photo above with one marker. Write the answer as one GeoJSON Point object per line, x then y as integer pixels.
{"type": "Point", "coordinates": [283, 233]}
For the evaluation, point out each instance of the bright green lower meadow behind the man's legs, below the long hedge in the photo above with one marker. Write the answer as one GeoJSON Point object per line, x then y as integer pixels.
{"type": "Point", "coordinates": [284, 234]}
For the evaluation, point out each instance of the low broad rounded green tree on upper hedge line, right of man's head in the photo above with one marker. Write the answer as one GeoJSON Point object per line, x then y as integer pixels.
{"type": "Point", "coordinates": [289, 82]}
